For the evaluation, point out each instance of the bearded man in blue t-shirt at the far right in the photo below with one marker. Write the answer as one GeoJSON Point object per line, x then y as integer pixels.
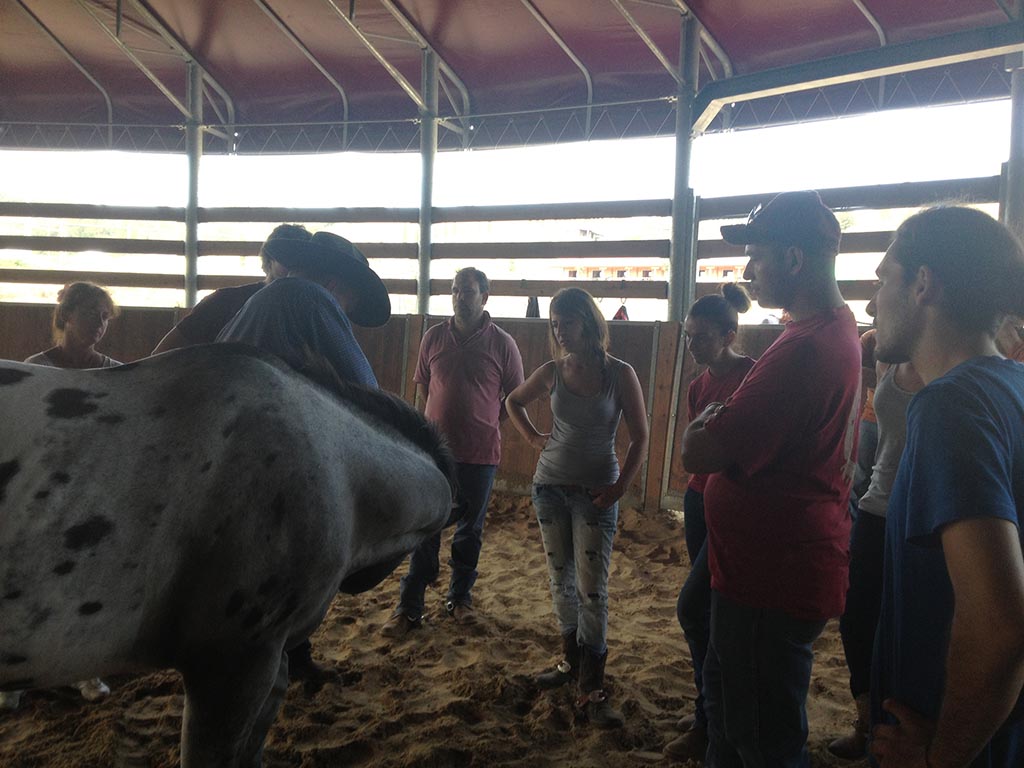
{"type": "Point", "coordinates": [949, 666]}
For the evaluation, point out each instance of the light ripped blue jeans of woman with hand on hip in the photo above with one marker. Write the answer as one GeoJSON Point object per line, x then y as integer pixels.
{"type": "Point", "coordinates": [578, 540]}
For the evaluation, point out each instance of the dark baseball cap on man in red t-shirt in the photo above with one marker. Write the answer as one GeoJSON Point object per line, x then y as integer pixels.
{"type": "Point", "coordinates": [798, 219]}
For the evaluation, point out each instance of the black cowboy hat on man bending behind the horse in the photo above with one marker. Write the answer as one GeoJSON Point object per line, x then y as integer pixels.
{"type": "Point", "coordinates": [331, 254]}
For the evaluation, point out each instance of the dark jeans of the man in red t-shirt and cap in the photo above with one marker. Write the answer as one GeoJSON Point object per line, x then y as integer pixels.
{"type": "Point", "coordinates": [756, 676]}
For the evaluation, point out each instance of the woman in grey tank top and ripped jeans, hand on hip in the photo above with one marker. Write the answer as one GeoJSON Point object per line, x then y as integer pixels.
{"type": "Point", "coordinates": [578, 485]}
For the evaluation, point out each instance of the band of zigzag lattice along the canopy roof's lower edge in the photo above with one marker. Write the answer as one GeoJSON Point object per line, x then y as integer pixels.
{"type": "Point", "coordinates": [985, 80]}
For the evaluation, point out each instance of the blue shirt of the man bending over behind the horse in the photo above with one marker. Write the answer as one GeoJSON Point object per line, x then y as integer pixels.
{"type": "Point", "coordinates": [292, 314]}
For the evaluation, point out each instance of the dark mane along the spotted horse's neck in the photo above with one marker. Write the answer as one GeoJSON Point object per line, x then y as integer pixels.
{"type": "Point", "coordinates": [385, 408]}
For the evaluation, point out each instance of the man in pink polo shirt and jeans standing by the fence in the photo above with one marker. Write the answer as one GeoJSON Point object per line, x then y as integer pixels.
{"type": "Point", "coordinates": [467, 365]}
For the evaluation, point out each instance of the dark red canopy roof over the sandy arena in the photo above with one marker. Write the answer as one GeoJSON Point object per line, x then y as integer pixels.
{"type": "Point", "coordinates": [286, 75]}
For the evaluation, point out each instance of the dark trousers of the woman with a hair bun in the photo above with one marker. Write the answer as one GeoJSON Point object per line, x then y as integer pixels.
{"type": "Point", "coordinates": [694, 606]}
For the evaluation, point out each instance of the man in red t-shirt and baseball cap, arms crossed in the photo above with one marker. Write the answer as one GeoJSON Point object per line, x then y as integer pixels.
{"type": "Point", "coordinates": [783, 450]}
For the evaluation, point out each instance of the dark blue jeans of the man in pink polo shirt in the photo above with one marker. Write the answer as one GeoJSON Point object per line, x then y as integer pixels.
{"type": "Point", "coordinates": [475, 484]}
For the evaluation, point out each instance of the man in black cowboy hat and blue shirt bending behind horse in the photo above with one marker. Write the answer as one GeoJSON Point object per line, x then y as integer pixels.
{"type": "Point", "coordinates": [328, 285]}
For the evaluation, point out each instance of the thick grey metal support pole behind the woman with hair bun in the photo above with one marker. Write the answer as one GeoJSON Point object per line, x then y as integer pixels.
{"type": "Point", "coordinates": [682, 264]}
